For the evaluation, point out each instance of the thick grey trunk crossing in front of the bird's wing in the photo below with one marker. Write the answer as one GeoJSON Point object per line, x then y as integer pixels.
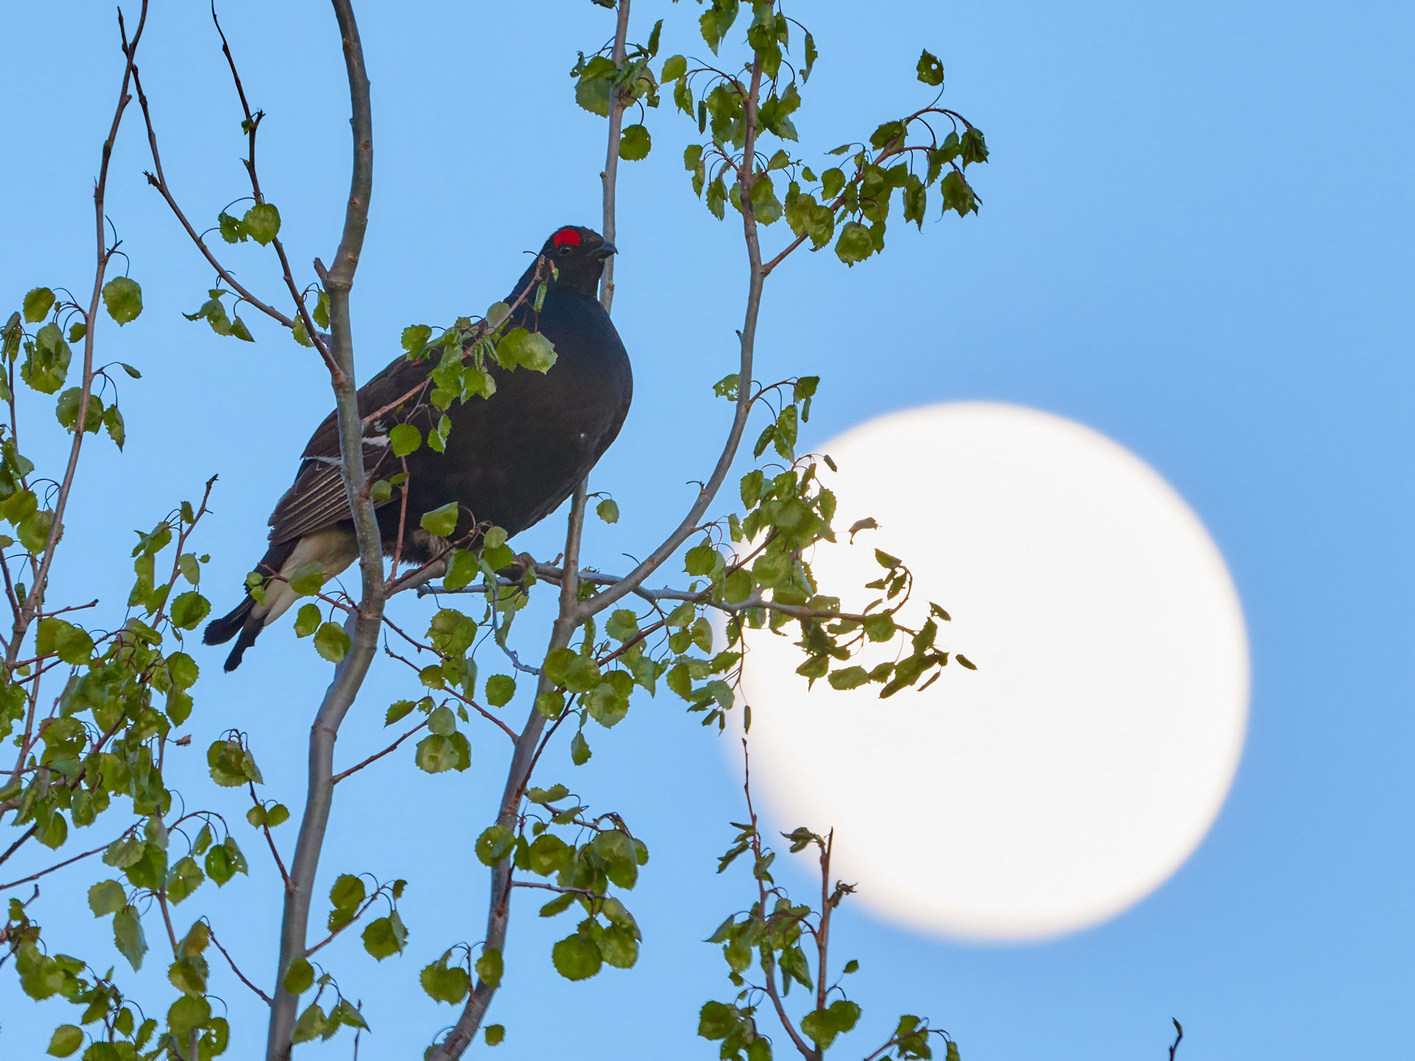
{"type": "Point", "coordinates": [349, 676]}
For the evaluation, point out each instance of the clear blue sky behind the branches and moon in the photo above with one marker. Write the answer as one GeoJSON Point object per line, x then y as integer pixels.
{"type": "Point", "coordinates": [1195, 238]}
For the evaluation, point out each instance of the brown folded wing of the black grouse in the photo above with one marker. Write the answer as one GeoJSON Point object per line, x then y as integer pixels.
{"type": "Point", "coordinates": [318, 499]}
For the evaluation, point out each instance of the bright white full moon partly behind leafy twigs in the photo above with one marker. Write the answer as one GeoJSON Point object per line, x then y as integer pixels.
{"type": "Point", "coordinates": [1089, 755]}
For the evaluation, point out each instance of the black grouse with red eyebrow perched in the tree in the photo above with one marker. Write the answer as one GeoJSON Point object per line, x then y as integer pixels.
{"type": "Point", "coordinates": [510, 459]}
